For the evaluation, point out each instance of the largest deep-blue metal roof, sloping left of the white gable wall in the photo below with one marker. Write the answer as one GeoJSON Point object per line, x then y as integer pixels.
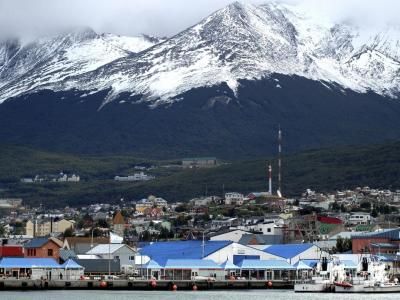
{"type": "Point", "coordinates": [162, 251]}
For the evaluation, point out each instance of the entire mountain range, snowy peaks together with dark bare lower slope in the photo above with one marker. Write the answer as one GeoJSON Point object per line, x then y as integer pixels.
{"type": "Point", "coordinates": [218, 88]}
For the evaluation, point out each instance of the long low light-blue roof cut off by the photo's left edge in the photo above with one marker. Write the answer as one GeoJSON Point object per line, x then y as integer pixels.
{"type": "Point", "coordinates": [29, 263]}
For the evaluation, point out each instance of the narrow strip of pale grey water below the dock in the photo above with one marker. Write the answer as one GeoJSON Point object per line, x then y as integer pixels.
{"type": "Point", "coordinates": [183, 295]}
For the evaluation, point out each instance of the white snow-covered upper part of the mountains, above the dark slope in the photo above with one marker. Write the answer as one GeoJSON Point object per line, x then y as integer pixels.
{"type": "Point", "coordinates": [240, 41]}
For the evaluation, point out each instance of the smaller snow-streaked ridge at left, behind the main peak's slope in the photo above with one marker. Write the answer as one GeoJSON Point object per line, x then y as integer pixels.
{"type": "Point", "coordinates": [50, 60]}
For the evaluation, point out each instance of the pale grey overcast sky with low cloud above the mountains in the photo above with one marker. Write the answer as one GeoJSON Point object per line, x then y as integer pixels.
{"type": "Point", "coordinates": [29, 18]}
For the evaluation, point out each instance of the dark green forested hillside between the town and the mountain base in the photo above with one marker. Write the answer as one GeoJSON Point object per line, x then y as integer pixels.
{"type": "Point", "coordinates": [323, 170]}
